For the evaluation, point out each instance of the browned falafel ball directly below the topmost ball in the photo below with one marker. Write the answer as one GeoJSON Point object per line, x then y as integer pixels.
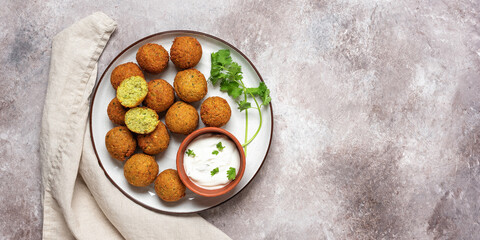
{"type": "Point", "coordinates": [190, 85]}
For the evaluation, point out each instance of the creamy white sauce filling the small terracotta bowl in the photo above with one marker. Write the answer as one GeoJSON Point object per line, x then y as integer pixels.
{"type": "Point", "coordinates": [199, 168]}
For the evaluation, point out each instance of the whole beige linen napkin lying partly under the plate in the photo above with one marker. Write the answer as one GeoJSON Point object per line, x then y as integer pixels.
{"type": "Point", "coordinates": [79, 201]}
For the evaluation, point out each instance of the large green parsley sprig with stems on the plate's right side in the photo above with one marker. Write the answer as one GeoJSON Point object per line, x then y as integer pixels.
{"type": "Point", "coordinates": [229, 74]}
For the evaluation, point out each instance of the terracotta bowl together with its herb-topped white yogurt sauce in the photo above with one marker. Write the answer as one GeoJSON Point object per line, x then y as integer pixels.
{"type": "Point", "coordinates": [211, 161]}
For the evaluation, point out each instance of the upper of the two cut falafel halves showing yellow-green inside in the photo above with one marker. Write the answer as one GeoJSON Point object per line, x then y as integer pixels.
{"type": "Point", "coordinates": [132, 91]}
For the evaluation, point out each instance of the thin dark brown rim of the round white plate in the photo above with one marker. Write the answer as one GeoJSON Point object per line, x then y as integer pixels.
{"type": "Point", "coordinates": [95, 93]}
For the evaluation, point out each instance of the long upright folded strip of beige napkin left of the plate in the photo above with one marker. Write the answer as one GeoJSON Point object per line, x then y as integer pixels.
{"type": "Point", "coordinates": [75, 53]}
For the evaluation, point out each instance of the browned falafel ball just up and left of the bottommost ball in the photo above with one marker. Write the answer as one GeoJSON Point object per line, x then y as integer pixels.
{"type": "Point", "coordinates": [140, 170]}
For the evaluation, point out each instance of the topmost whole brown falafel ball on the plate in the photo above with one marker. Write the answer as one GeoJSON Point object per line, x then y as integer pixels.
{"type": "Point", "coordinates": [185, 52]}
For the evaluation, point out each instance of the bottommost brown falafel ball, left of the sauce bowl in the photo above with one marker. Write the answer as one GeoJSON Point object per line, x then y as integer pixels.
{"type": "Point", "coordinates": [168, 186]}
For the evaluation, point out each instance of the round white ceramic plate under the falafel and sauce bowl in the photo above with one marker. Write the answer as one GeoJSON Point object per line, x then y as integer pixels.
{"type": "Point", "coordinates": [256, 151]}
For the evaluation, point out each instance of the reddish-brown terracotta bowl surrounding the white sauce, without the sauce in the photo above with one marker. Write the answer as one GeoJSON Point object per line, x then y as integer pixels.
{"type": "Point", "coordinates": [186, 180]}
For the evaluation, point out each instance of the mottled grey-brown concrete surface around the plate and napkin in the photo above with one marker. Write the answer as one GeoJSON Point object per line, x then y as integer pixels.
{"type": "Point", "coordinates": [376, 103]}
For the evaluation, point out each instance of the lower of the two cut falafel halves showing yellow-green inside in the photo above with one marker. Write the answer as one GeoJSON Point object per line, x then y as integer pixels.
{"type": "Point", "coordinates": [141, 120]}
